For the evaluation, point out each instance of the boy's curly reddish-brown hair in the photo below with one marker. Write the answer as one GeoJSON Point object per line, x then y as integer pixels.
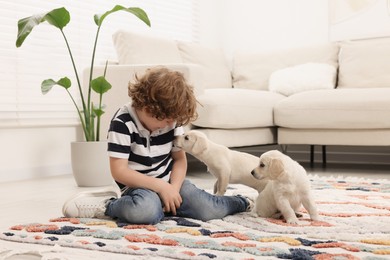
{"type": "Point", "coordinates": [164, 93]}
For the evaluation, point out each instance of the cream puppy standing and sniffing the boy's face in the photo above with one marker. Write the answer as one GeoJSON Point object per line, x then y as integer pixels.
{"type": "Point", "coordinates": [228, 166]}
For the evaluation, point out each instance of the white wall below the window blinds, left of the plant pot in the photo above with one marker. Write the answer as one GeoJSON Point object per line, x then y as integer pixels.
{"type": "Point", "coordinates": [32, 152]}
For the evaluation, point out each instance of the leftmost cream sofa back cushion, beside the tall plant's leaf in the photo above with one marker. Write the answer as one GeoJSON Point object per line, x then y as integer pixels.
{"type": "Point", "coordinates": [143, 48]}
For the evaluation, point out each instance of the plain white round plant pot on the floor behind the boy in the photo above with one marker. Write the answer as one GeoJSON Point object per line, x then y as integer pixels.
{"type": "Point", "coordinates": [90, 164]}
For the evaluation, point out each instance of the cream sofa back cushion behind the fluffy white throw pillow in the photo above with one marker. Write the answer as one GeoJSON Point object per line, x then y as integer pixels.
{"type": "Point", "coordinates": [252, 70]}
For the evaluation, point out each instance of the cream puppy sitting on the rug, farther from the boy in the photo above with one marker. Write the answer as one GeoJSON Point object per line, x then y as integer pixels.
{"type": "Point", "coordinates": [288, 188]}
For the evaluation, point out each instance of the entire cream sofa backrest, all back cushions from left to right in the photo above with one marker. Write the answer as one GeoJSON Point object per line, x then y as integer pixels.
{"type": "Point", "coordinates": [360, 64]}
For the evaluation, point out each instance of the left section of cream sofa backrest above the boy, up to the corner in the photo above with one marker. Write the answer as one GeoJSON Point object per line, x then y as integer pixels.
{"type": "Point", "coordinates": [147, 48]}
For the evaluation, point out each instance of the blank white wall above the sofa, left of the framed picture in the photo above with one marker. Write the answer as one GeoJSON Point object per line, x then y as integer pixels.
{"type": "Point", "coordinates": [254, 25]}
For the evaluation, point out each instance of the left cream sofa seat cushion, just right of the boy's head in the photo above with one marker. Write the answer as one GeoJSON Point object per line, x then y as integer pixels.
{"type": "Point", "coordinates": [236, 108]}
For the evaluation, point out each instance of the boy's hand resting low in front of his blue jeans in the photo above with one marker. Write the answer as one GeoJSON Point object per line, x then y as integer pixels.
{"type": "Point", "coordinates": [170, 197]}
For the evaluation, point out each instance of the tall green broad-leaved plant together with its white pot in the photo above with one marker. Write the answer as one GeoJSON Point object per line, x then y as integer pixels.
{"type": "Point", "coordinates": [89, 112]}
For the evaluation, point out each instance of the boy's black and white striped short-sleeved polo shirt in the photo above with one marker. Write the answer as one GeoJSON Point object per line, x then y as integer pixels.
{"type": "Point", "coordinates": [147, 153]}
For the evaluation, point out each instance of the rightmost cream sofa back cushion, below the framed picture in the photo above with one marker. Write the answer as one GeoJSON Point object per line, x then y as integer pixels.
{"type": "Point", "coordinates": [364, 64]}
